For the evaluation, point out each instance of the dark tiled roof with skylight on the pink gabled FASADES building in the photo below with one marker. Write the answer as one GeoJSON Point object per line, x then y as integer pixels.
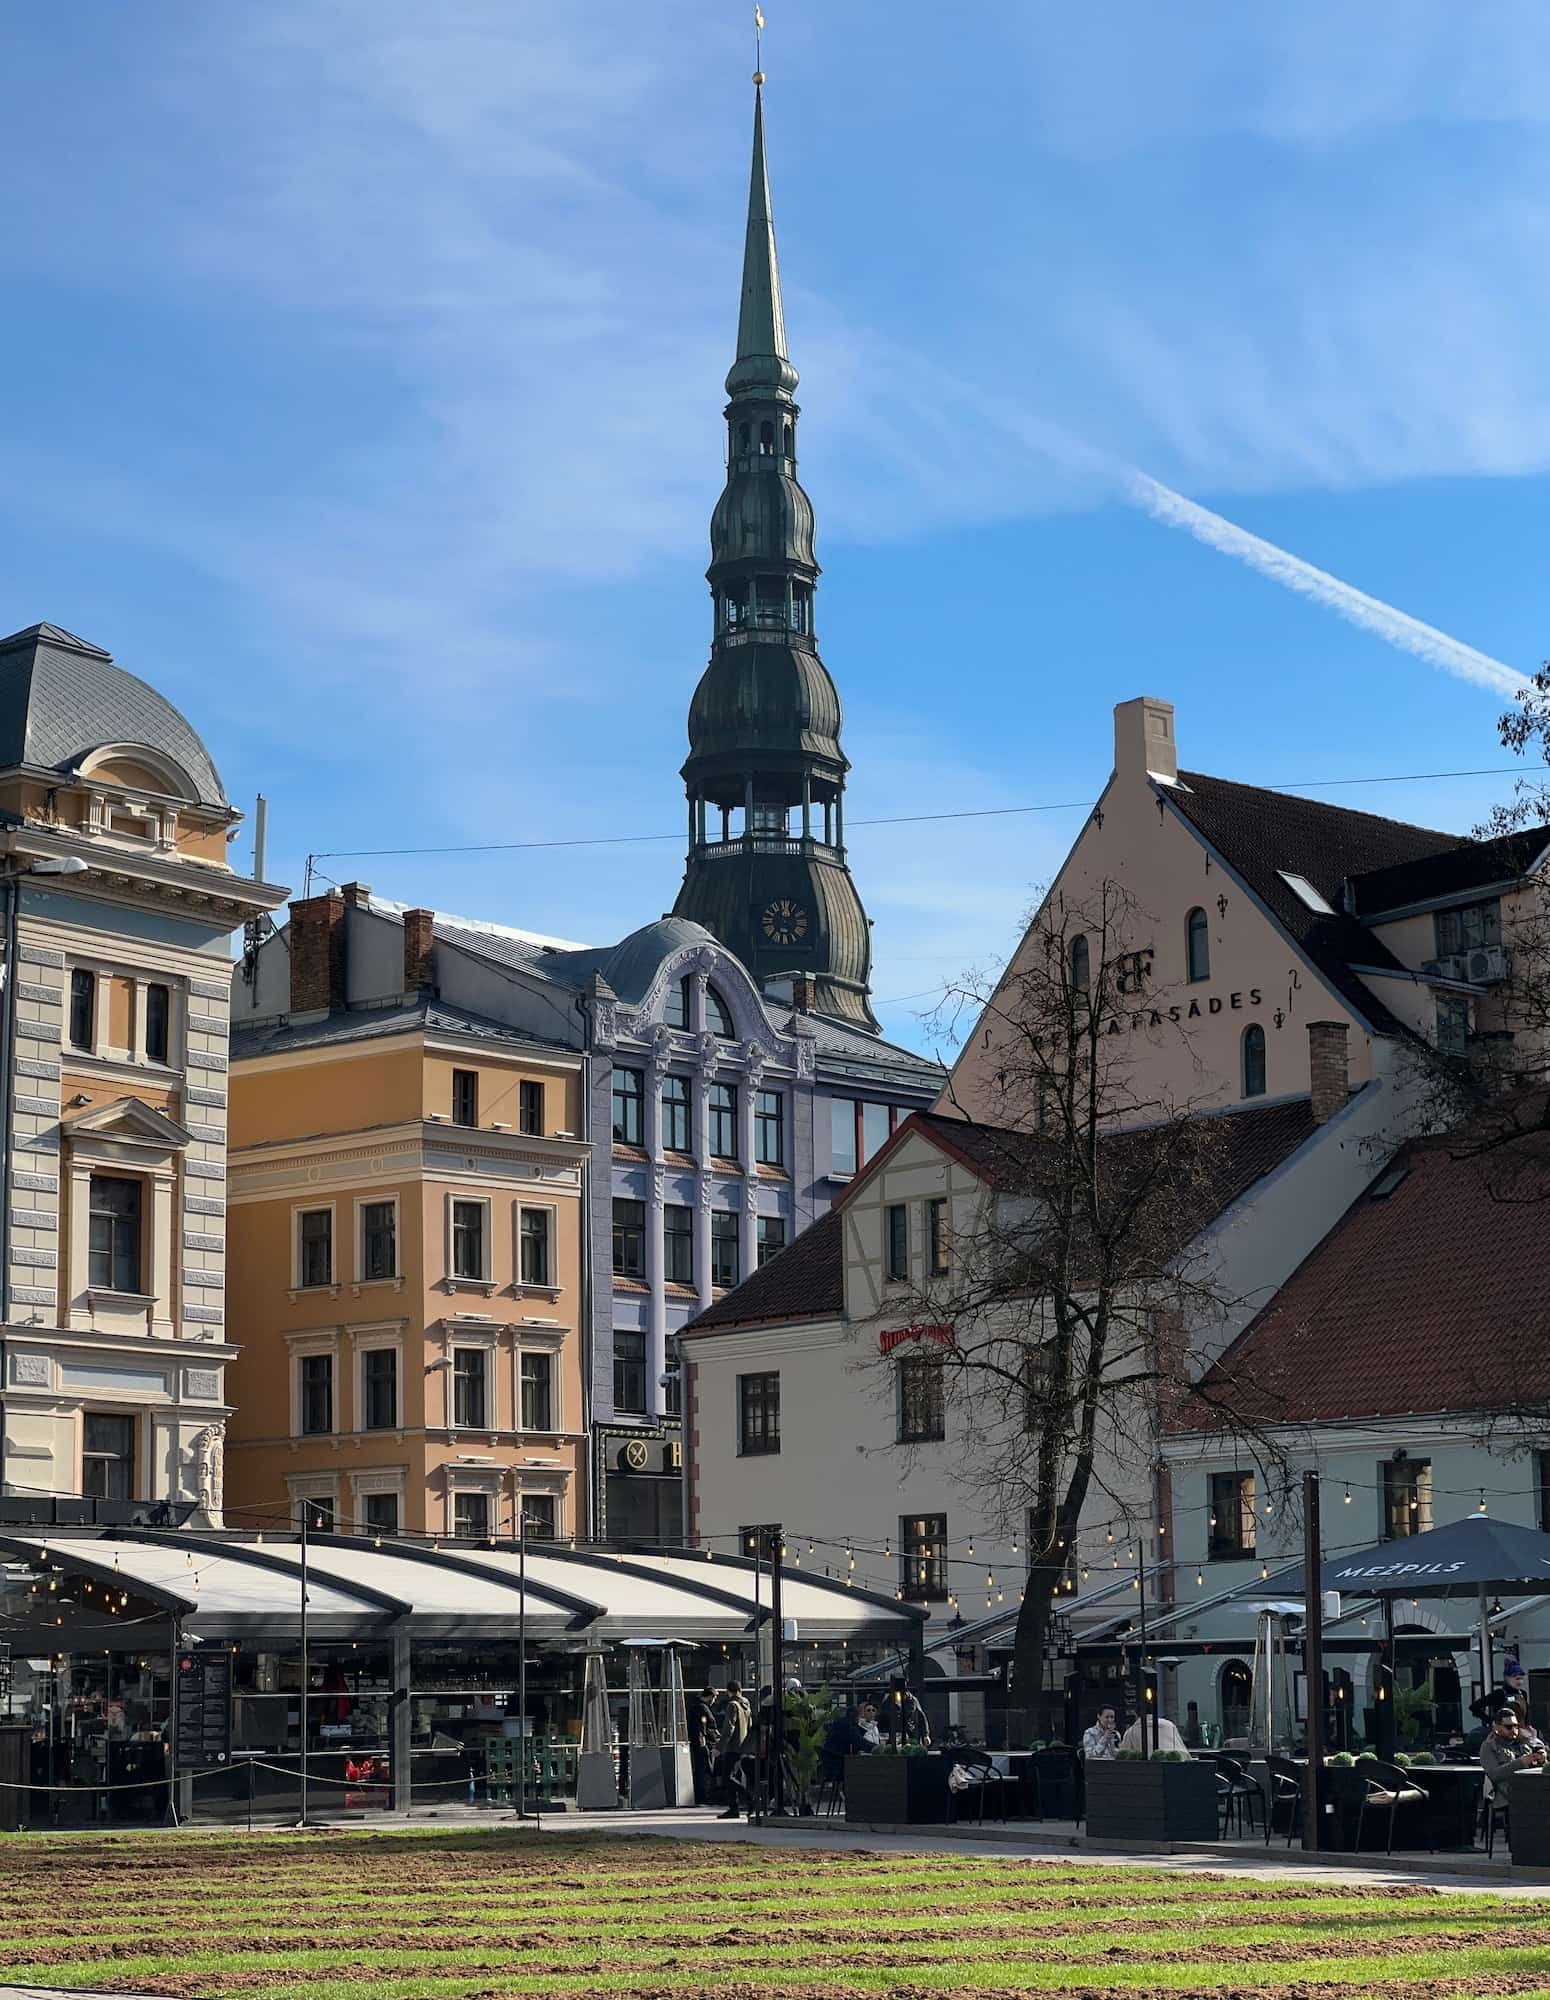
{"type": "Point", "coordinates": [1263, 833]}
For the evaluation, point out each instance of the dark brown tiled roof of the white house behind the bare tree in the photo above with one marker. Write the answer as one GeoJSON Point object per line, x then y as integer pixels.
{"type": "Point", "coordinates": [1237, 1149]}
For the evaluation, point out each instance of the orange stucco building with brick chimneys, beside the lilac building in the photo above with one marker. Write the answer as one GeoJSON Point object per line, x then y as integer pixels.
{"type": "Point", "coordinates": [407, 1197]}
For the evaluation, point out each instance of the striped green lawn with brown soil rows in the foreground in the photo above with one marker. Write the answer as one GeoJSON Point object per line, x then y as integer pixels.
{"type": "Point", "coordinates": [483, 1915]}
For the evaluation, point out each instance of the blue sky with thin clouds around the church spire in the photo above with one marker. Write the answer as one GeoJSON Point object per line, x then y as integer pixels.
{"type": "Point", "coordinates": [363, 391]}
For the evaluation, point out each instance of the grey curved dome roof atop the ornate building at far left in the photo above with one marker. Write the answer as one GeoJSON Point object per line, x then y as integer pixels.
{"type": "Point", "coordinates": [63, 701]}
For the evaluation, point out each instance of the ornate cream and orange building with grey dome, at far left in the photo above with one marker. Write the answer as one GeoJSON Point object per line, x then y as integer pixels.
{"type": "Point", "coordinates": [119, 909]}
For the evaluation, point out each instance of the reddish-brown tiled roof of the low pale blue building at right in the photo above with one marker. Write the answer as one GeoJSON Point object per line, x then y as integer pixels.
{"type": "Point", "coordinates": [1433, 1293]}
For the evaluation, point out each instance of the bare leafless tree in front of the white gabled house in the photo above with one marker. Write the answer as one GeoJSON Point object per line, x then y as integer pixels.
{"type": "Point", "coordinates": [1065, 1313]}
